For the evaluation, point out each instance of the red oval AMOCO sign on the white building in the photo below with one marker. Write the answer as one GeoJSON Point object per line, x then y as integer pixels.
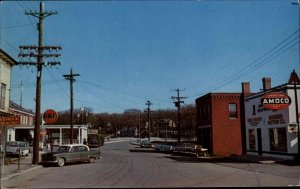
{"type": "Point", "coordinates": [275, 101]}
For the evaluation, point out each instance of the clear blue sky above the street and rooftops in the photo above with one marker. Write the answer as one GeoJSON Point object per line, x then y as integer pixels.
{"type": "Point", "coordinates": [128, 52]}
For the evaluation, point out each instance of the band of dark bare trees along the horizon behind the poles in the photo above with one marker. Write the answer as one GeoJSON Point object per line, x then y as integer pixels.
{"type": "Point", "coordinates": [132, 121]}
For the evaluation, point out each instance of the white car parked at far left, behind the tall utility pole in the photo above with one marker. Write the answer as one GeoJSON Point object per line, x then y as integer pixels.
{"type": "Point", "coordinates": [14, 148]}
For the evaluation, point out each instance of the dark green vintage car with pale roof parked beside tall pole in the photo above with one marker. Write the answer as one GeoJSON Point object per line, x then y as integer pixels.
{"type": "Point", "coordinates": [71, 153]}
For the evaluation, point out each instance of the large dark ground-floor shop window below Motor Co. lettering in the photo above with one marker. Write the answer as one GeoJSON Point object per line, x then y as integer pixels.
{"type": "Point", "coordinates": [278, 140]}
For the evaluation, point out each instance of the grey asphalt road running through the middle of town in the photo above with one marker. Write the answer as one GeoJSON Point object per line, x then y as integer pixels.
{"type": "Point", "coordinates": [127, 166]}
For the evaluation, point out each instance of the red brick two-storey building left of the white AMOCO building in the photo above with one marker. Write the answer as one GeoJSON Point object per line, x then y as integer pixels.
{"type": "Point", "coordinates": [219, 123]}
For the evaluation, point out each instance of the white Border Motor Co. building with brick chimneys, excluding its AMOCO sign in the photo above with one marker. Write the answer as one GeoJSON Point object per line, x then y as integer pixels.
{"type": "Point", "coordinates": [272, 132]}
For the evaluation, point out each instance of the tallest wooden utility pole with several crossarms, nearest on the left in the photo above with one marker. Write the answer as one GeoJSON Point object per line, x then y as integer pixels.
{"type": "Point", "coordinates": [37, 52]}
